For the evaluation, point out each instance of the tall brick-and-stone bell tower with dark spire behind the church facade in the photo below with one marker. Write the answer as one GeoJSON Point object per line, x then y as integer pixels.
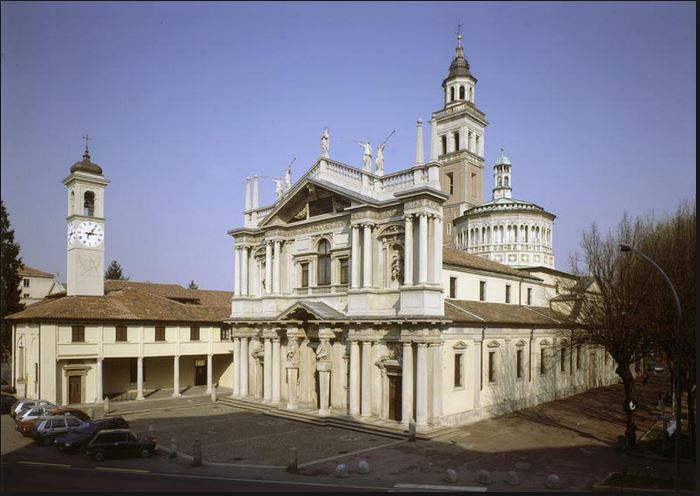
{"type": "Point", "coordinates": [457, 141]}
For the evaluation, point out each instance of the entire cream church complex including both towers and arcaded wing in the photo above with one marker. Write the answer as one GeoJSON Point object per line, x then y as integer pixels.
{"type": "Point", "coordinates": [358, 293]}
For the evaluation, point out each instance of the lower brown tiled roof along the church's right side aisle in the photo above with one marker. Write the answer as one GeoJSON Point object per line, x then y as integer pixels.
{"type": "Point", "coordinates": [483, 313]}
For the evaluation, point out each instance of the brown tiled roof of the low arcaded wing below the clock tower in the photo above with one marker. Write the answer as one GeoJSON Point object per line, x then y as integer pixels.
{"type": "Point", "coordinates": [134, 301]}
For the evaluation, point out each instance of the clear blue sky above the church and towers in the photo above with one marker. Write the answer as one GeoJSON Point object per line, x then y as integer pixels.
{"type": "Point", "coordinates": [594, 103]}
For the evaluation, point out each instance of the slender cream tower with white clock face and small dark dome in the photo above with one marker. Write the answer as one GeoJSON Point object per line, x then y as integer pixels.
{"type": "Point", "coordinates": [86, 192]}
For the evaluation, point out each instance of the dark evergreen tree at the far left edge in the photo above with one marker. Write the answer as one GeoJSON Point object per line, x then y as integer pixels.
{"type": "Point", "coordinates": [9, 286]}
